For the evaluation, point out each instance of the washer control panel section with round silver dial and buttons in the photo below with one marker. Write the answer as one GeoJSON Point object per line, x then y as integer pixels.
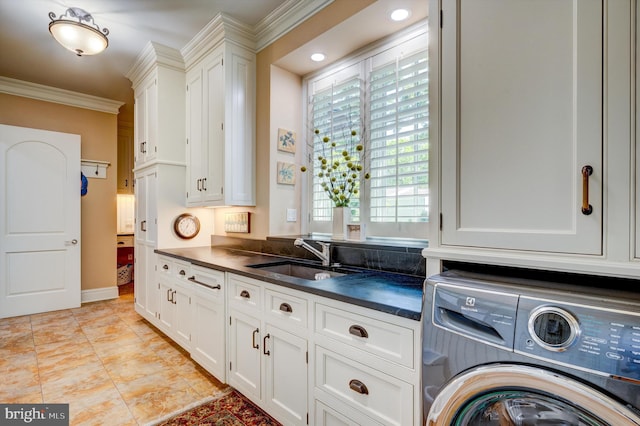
{"type": "Point", "coordinates": [587, 337]}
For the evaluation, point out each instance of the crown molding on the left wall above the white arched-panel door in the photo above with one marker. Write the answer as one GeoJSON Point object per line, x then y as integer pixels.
{"type": "Point", "coordinates": [60, 96]}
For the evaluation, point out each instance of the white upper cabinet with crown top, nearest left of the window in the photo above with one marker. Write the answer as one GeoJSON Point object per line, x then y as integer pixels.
{"type": "Point", "coordinates": [221, 117]}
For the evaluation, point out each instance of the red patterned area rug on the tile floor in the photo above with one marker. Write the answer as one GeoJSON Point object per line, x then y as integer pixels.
{"type": "Point", "coordinates": [232, 409]}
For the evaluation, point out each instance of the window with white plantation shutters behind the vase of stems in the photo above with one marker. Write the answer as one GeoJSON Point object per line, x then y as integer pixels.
{"type": "Point", "coordinates": [382, 95]}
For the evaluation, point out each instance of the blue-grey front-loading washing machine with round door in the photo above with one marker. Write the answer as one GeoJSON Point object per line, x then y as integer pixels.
{"type": "Point", "coordinates": [515, 352]}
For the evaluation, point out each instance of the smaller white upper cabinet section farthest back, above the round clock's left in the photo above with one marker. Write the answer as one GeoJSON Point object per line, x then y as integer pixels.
{"type": "Point", "coordinates": [158, 79]}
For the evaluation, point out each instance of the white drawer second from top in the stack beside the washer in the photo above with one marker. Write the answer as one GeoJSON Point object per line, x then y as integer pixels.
{"type": "Point", "coordinates": [384, 398]}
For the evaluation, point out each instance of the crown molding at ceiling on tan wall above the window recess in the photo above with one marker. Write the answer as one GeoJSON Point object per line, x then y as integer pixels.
{"type": "Point", "coordinates": [283, 19]}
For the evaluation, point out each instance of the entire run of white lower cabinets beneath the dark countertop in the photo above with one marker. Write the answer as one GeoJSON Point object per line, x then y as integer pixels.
{"type": "Point", "coordinates": [304, 359]}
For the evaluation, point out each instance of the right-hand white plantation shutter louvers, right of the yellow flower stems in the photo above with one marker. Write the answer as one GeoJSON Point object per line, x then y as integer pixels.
{"type": "Point", "coordinates": [399, 115]}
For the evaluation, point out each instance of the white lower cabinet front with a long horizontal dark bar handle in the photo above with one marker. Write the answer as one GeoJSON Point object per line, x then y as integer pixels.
{"type": "Point", "coordinates": [208, 344]}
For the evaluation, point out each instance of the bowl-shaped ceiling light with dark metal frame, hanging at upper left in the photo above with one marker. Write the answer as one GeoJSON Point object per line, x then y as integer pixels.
{"type": "Point", "coordinates": [72, 30]}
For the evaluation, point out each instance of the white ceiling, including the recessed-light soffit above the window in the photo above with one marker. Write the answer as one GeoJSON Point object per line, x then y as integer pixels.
{"type": "Point", "coordinates": [29, 53]}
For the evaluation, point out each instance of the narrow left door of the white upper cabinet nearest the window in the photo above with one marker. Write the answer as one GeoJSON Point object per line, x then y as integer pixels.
{"type": "Point", "coordinates": [195, 111]}
